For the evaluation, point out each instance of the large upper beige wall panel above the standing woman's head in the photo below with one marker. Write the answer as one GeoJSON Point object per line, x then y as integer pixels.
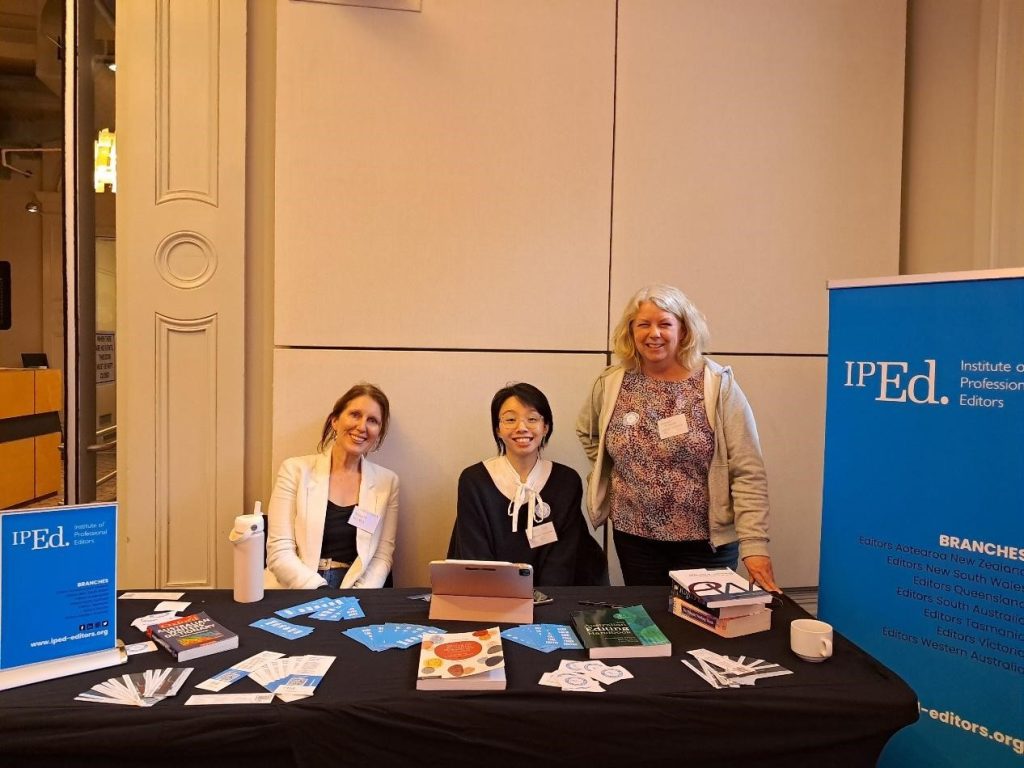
{"type": "Point", "coordinates": [758, 154]}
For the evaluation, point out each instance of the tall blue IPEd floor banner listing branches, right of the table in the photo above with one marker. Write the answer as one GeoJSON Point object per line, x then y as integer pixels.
{"type": "Point", "coordinates": [923, 520]}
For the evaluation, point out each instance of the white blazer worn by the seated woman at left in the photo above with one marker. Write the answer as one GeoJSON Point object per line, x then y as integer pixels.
{"type": "Point", "coordinates": [297, 513]}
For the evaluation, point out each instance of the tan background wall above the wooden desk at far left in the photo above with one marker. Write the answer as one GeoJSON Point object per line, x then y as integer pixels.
{"type": "Point", "coordinates": [21, 244]}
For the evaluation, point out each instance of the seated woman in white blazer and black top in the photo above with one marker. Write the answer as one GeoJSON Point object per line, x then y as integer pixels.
{"type": "Point", "coordinates": [334, 516]}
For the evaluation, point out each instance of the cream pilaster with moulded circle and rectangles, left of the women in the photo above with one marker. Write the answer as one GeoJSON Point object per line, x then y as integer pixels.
{"type": "Point", "coordinates": [181, 290]}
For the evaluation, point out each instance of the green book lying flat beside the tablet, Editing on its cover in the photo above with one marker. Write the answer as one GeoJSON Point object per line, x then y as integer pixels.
{"type": "Point", "coordinates": [620, 633]}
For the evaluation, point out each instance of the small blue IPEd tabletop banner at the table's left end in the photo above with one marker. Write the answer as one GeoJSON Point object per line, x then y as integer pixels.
{"type": "Point", "coordinates": [58, 583]}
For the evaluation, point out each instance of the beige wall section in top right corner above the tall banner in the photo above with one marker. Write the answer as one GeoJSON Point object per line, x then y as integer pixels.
{"type": "Point", "coordinates": [964, 159]}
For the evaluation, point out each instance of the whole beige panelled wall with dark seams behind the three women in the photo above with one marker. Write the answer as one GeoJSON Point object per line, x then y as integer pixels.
{"type": "Point", "coordinates": [485, 177]}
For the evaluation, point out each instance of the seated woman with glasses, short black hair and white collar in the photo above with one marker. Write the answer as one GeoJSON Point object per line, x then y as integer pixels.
{"type": "Point", "coordinates": [522, 508]}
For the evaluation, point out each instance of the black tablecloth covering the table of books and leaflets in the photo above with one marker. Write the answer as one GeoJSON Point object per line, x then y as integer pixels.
{"type": "Point", "coordinates": [367, 711]}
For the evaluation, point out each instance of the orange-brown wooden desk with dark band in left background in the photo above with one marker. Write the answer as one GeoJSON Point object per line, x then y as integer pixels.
{"type": "Point", "coordinates": [30, 435]}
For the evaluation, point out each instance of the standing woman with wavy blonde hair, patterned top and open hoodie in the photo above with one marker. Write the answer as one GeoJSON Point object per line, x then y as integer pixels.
{"type": "Point", "coordinates": [677, 462]}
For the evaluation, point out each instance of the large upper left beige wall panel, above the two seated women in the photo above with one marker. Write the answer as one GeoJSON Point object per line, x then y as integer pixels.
{"type": "Point", "coordinates": [444, 179]}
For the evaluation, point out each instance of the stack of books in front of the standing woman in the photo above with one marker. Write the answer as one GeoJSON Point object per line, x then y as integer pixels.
{"type": "Point", "coordinates": [720, 601]}
